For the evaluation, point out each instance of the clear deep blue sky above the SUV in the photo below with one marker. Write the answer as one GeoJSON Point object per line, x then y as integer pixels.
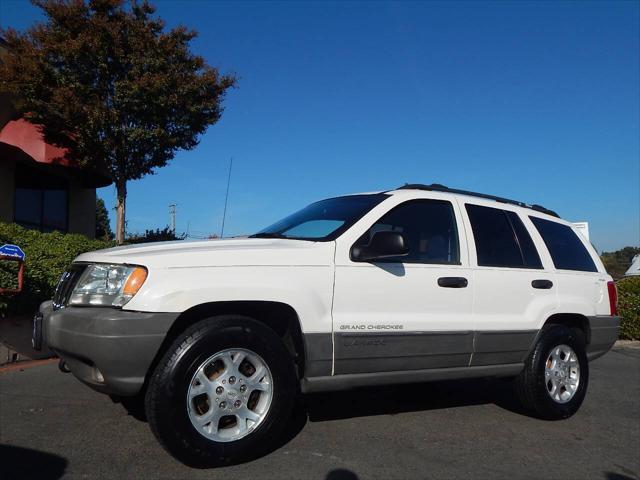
{"type": "Point", "coordinates": [536, 101]}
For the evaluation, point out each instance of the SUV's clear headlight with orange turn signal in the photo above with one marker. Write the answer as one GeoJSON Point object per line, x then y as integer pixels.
{"type": "Point", "coordinates": [107, 285]}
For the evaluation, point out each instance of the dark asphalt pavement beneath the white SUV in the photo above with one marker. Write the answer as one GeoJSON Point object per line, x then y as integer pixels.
{"type": "Point", "coordinates": [52, 426]}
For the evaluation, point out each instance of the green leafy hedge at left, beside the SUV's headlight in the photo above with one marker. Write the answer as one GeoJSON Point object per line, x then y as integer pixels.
{"type": "Point", "coordinates": [47, 256]}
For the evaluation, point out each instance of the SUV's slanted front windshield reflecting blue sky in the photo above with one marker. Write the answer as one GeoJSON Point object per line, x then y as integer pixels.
{"type": "Point", "coordinates": [323, 220]}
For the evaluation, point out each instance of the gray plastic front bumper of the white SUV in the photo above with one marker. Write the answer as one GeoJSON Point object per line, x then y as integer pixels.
{"type": "Point", "coordinates": [110, 350]}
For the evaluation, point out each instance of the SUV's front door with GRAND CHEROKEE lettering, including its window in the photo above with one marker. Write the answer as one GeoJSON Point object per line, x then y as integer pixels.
{"type": "Point", "coordinates": [405, 313]}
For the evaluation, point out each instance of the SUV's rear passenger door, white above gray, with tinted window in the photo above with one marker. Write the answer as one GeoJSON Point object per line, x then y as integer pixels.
{"type": "Point", "coordinates": [515, 284]}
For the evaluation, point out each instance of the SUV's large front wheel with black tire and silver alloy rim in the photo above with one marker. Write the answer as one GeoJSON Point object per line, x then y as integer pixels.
{"type": "Point", "coordinates": [172, 409]}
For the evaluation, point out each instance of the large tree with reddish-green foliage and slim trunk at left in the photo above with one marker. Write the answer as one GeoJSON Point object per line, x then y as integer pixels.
{"type": "Point", "coordinates": [106, 81]}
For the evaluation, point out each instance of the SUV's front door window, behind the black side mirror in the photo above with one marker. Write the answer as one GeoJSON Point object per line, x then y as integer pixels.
{"type": "Point", "coordinates": [429, 228]}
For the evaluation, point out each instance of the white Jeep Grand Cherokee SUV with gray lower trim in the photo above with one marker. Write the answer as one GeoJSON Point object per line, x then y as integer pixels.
{"type": "Point", "coordinates": [410, 285]}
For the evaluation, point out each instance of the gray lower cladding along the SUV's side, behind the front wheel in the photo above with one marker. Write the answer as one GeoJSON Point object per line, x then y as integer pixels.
{"type": "Point", "coordinates": [375, 358]}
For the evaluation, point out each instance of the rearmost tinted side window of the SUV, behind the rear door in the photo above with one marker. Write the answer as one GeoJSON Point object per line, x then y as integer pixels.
{"type": "Point", "coordinates": [566, 249]}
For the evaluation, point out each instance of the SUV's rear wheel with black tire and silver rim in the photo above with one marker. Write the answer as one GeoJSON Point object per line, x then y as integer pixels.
{"type": "Point", "coordinates": [553, 393]}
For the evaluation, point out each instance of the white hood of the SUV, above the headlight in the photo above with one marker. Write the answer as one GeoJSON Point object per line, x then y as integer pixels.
{"type": "Point", "coordinates": [228, 252]}
